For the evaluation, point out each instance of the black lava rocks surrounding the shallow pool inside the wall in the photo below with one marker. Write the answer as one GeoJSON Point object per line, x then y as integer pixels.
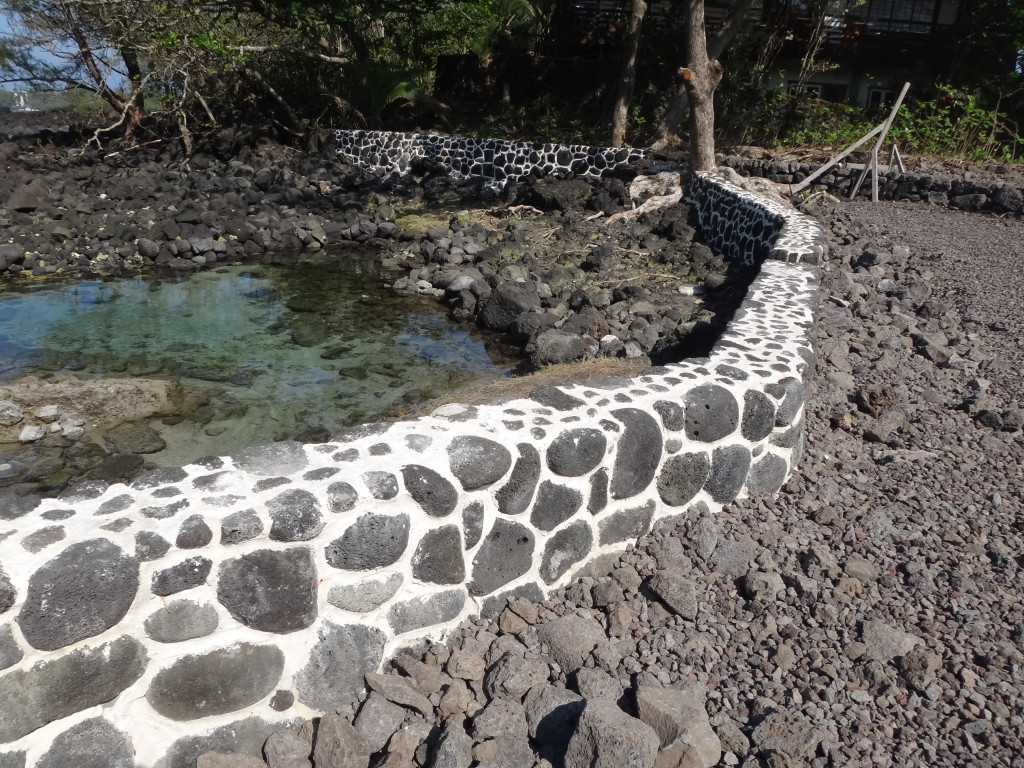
{"type": "Point", "coordinates": [540, 267]}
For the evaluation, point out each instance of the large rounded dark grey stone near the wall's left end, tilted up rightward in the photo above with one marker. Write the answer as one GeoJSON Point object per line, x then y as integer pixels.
{"type": "Point", "coordinates": [86, 590]}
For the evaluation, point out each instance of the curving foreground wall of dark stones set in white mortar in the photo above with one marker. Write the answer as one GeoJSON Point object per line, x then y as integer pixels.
{"type": "Point", "coordinates": [203, 608]}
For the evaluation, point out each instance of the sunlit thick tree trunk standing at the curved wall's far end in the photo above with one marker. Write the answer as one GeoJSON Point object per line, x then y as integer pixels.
{"type": "Point", "coordinates": [701, 77]}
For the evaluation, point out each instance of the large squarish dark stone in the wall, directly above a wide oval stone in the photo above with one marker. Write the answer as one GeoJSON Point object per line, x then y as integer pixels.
{"type": "Point", "coordinates": [271, 590]}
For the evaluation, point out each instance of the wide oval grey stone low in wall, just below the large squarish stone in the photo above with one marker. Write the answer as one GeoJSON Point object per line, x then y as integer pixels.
{"type": "Point", "coordinates": [215, 684]}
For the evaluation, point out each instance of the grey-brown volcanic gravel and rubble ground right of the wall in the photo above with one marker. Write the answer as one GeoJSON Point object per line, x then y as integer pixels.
{"type": "Point", "coordinates": [871, 615]}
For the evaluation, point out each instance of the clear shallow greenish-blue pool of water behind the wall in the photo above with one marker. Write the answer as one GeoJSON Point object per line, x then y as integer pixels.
{"type": "Point", "coordinates": [298, 351]}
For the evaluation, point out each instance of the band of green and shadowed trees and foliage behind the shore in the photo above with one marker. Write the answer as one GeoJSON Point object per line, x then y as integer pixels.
{"type": "Point", "coordinates": [495, 66]}
